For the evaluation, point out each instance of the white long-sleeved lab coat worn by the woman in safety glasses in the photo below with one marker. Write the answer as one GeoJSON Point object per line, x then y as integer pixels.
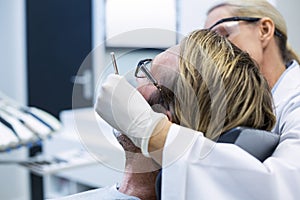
{"type": "Point", "coordinates": [197, 168]}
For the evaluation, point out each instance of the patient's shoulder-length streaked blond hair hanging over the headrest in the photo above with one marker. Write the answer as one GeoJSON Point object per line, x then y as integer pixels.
{"type": "Point", "coordinates": [220, 87]}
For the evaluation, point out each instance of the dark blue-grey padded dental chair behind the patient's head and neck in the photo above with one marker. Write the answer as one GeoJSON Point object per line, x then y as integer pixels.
{"type": "Point", "coordinates": [259, 143]}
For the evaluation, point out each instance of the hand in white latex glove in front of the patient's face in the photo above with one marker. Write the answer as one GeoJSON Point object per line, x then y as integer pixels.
{"type": "Point", "coordinates": [125, 109]}
